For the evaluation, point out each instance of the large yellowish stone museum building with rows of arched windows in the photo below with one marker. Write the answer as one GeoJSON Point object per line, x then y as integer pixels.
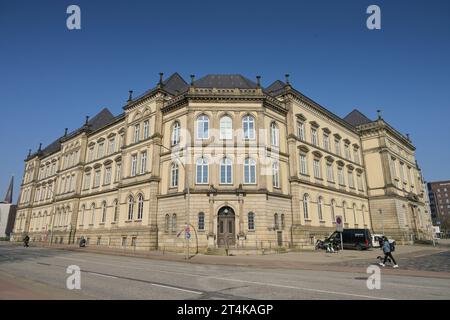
{"type": "Point", "coordinates": [245, 167]}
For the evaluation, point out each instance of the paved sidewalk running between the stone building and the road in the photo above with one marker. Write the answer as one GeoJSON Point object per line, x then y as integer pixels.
{"type": "Point", "coordinates": [344, 261]}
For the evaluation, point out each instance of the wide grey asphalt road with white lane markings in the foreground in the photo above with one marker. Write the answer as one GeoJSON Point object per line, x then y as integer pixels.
{"type": "Point", "coordinates": [40, 273]}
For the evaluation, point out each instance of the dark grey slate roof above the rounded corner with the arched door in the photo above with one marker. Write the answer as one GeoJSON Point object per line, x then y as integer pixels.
{"type": "Point", "coordinates": [225, 81]}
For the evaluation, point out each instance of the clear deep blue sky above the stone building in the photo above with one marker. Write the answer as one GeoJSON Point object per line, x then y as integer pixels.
{"type": "Point", "coordinates": [51, 77]}
